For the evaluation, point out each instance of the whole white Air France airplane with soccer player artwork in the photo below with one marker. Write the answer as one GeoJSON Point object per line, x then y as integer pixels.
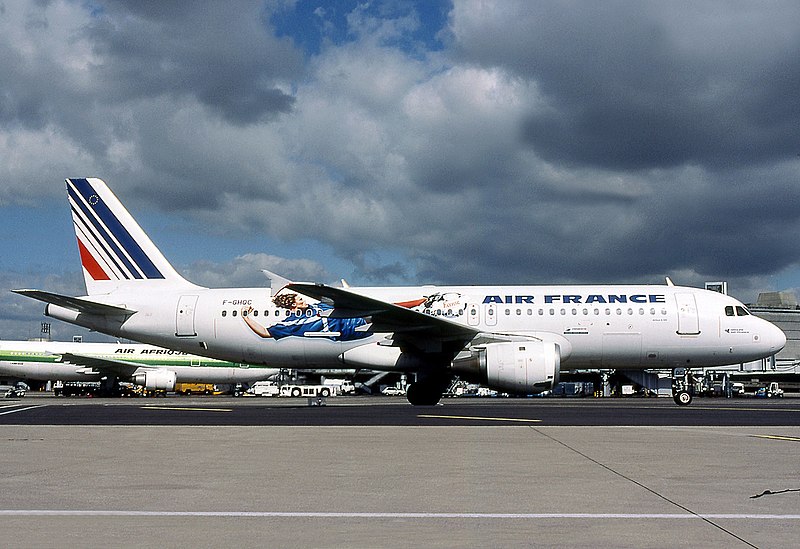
{"type": "Point", "coordinates": [509, 338]}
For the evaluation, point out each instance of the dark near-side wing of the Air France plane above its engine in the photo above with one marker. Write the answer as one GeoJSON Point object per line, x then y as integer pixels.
{"type": "Point", "coordinates": [406, 324]}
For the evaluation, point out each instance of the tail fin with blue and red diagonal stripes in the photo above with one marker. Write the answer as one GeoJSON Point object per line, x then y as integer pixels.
{"type": "Point", "coordinates": [116, 254]}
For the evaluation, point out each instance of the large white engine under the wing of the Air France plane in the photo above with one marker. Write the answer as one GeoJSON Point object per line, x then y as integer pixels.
{"type": "Point", "coordinates": [521, 367]}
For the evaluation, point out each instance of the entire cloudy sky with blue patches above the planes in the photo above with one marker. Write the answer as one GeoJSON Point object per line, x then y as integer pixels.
{"type": "Point", "coordinates": [406, 142]}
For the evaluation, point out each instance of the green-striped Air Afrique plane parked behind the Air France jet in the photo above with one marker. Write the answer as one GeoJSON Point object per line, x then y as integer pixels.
{"type": "Point", "coordinates": [146, 365]}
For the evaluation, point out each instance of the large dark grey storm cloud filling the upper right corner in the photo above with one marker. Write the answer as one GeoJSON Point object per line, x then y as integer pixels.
{"type": "Point", "coordinates": [631, 85]}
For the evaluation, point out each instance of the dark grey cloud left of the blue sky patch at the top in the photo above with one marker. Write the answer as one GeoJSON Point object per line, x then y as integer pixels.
{"type": "Point", "coordinates": [218, 53]}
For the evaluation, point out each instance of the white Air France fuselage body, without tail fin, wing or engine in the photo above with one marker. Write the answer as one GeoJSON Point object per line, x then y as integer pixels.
{"type": "Point", "coordinates": [594, 326]}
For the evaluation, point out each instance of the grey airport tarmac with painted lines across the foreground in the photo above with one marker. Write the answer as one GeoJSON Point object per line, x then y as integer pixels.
{"type": "Point", "coordinates": [377, 472]}
